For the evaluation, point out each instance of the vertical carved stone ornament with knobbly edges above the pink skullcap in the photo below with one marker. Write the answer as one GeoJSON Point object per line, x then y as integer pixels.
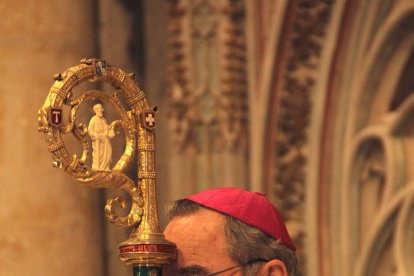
{"type": "Point", "coordinates": [207, 72]}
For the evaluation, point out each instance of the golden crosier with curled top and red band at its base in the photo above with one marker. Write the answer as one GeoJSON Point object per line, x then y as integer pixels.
{"type": "Point", "coordinates": [146, 245]}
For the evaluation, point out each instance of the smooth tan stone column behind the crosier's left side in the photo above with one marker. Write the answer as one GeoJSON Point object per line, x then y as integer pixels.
{"type": "Point", "coordinates": [50, 225]}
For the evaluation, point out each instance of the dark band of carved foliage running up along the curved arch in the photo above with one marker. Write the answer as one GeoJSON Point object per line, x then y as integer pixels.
{"type": "Point", "coordinates": [293, 107]}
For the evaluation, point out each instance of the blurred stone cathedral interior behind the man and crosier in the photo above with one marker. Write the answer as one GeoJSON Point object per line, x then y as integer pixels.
{"type": "Point", "coordinates": [308, 101]}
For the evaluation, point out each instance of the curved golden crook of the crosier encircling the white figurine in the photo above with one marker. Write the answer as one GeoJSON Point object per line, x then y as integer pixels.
{"type": "Point", "coordinates": [50, 119]}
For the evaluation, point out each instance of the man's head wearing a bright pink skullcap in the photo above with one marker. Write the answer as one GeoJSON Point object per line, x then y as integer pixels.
{"type": "Point", "coordinates": [230, 228]}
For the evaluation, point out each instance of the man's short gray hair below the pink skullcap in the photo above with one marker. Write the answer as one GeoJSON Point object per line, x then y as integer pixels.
{"type": "Point", "coordinates": [245, 243]}
